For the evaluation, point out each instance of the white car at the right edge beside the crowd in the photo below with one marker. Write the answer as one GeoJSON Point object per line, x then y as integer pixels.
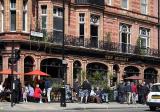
{"type": "Point", "coordinates": [153, 98]}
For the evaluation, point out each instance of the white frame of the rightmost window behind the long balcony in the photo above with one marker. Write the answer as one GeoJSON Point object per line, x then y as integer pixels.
{"type": "Point", "coordinates": [145, 36]}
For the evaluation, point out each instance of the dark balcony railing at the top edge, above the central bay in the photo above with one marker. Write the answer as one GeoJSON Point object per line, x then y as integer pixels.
{"type": "Point", "coordinates": [90, 2]}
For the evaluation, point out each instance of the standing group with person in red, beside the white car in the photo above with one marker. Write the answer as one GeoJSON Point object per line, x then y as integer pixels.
{"type": "Point", "coordinates": [132, 92]}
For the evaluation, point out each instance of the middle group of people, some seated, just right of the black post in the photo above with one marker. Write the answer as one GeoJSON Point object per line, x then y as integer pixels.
{"type": "Point", "coordinates": [87, 93]}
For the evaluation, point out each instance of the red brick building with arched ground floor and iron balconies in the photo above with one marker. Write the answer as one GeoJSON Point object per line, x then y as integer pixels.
{"type": "Point", "coordinates": [119, 37]}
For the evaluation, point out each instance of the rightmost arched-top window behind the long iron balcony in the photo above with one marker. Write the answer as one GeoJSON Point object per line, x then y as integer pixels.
{"type": "Point", "coordinates": [144, 37]}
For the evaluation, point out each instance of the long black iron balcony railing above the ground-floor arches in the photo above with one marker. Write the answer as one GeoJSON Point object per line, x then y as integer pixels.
{"type": "Point", "coordinates": [100, 45]}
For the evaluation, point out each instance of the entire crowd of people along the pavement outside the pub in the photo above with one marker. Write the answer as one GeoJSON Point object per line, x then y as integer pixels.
{"type": "Point", "coordinates": [127, 92]}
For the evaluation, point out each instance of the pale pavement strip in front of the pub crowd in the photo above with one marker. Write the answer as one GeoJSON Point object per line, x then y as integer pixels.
{"type": "Point", "coordinates": [26, 107]}
